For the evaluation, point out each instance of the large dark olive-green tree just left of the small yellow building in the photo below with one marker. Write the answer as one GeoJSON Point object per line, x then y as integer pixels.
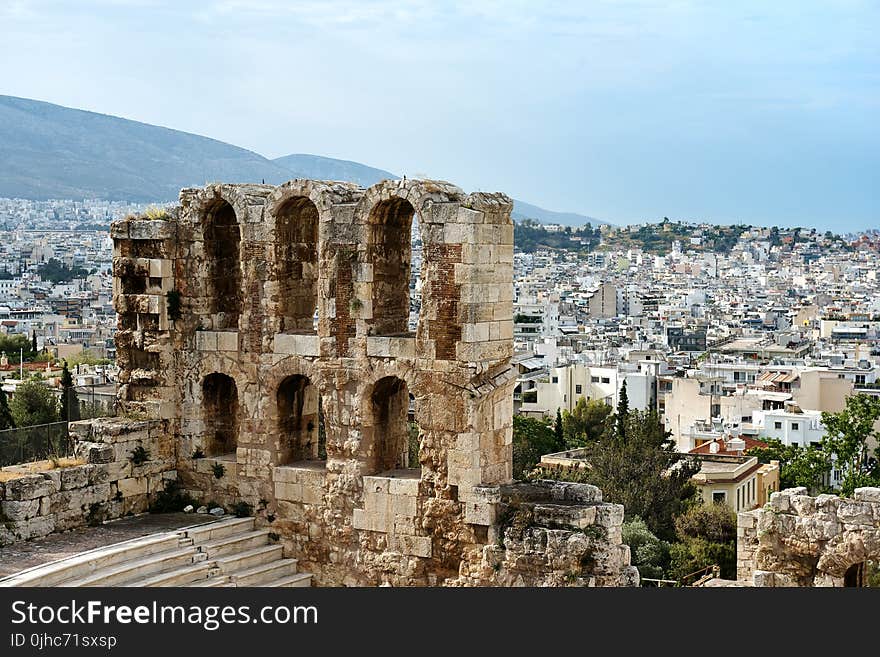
{"type": "Point", "coordinates": [643, 471]}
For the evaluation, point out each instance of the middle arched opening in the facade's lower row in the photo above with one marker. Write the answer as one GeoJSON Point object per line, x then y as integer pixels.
{"type": "Point", "coordinates": [300, 421]}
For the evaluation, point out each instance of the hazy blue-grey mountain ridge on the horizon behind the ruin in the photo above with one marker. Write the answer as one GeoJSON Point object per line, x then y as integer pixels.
{"type": "Point", "coordinates": [50, 151]}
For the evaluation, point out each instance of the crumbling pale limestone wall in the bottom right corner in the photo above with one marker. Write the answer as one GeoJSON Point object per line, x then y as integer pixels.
{"type": "Point", "coordinates": [798, 540]}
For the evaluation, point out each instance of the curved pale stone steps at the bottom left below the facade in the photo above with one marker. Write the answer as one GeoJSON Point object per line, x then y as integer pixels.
{"type": "Point", "coordinates": [228, 552]}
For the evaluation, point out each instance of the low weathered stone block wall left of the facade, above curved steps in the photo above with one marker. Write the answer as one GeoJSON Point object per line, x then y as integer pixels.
{"type": "Point", "coordinates": [102, 483]}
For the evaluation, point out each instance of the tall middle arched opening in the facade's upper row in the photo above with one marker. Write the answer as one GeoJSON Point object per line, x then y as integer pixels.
{"type": "Point", "coordinates": [296, 257]}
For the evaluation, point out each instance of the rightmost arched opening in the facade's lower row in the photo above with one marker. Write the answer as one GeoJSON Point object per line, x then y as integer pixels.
{"type": "Point", "coordinates": [395, 430]}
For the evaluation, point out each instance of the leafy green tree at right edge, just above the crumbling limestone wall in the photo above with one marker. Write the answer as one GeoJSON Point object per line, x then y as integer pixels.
{"type": "Point", "coordinates": [846, 438]}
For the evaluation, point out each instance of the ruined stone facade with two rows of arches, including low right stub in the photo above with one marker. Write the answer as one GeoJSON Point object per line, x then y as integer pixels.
{"type": "Point", "coordinates": [267, 327]}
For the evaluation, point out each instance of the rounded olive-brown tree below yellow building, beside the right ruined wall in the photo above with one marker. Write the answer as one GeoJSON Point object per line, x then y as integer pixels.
{"type": "Point", "coordinates": [706, 536]}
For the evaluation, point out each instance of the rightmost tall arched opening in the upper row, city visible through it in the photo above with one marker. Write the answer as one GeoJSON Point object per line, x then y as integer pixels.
{"type": "Point", "coordinates": [390, 253]}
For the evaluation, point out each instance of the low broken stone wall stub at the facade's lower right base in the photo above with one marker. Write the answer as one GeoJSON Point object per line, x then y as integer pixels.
{"type": "Point", "coordinates": [550, 534]}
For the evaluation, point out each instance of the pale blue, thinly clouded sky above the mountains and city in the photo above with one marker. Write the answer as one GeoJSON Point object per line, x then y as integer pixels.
{"type": "Point", "coordinates": [750, 111]}
